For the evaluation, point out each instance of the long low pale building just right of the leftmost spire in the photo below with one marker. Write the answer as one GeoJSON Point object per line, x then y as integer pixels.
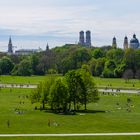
{"type": "Point", "coordinates": [26, 51]}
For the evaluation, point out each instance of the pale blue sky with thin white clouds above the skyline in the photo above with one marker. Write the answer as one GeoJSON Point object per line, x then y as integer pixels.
{"type": "Point", "coordinates": [34, 23]}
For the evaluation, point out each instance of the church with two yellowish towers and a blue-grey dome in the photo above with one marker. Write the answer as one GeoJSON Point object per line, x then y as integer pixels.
{"type": "Point", "coordinates": [134, 43]}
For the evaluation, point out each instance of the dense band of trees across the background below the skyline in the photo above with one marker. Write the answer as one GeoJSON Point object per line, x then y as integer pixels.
{"type": "Point", "coordinates": [104, 62]}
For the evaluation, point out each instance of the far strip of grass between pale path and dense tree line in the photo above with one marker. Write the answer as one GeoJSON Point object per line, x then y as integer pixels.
{"type": "Point", "coordinates": [100, 82]}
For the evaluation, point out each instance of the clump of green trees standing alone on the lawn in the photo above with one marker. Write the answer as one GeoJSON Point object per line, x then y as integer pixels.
{"type": "Point", "coordinates": [66, 93]}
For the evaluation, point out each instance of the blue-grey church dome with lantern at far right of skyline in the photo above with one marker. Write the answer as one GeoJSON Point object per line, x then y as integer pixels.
{"type": "Point", "coordinates": [134, 43]}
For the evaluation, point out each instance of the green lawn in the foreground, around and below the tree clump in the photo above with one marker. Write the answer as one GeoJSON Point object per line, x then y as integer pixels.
{"type": "Point", "coordinates": [116, 118]}
